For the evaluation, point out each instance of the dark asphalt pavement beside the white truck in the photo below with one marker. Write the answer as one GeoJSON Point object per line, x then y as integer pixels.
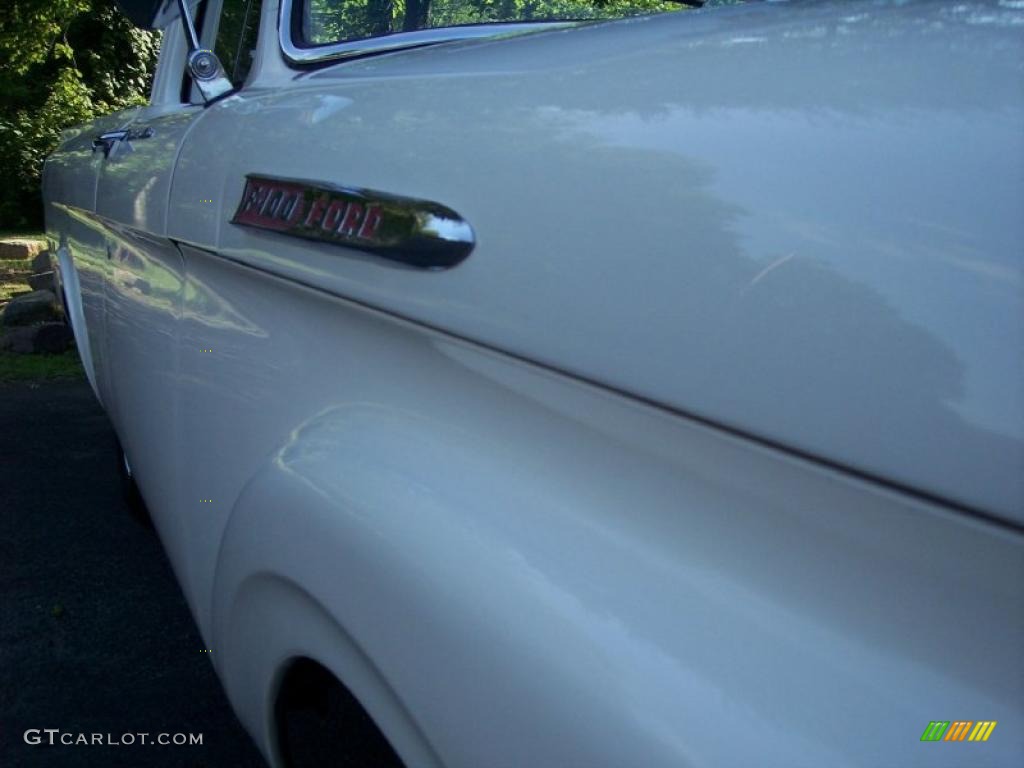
{"type": "Point", "coordinates": [95, 634]}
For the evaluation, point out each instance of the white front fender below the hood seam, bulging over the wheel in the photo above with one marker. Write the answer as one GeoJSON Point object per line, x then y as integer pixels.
{"type": "Point", "coordinates": [534, 572]}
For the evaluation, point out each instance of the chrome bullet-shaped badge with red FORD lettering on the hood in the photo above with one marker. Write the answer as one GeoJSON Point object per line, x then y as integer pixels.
{"type": "Point", "coordinates": [412, 232]}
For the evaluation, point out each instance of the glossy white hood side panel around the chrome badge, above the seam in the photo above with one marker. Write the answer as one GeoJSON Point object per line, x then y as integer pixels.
{"type": "Point", "coordinates": [802, 223]}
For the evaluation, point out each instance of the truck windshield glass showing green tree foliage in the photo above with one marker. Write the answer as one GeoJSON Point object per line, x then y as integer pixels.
{"type": "Point", "coordinates": [330, 22]}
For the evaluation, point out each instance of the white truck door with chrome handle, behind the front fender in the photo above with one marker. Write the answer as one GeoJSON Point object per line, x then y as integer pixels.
{"type": "Point", "coordinates": [144, 286]}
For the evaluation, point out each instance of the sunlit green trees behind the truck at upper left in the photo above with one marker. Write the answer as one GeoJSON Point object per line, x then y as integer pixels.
{"type": "Point", "coordinates": [62, 63]}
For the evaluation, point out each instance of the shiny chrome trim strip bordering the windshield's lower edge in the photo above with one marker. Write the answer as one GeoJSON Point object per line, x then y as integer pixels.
{"type": "Point", "coordinates": [298, 55]}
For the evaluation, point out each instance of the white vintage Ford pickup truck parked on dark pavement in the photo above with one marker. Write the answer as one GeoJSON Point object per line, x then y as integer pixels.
{"type": "Point", "coordinates": [517, 386]}
